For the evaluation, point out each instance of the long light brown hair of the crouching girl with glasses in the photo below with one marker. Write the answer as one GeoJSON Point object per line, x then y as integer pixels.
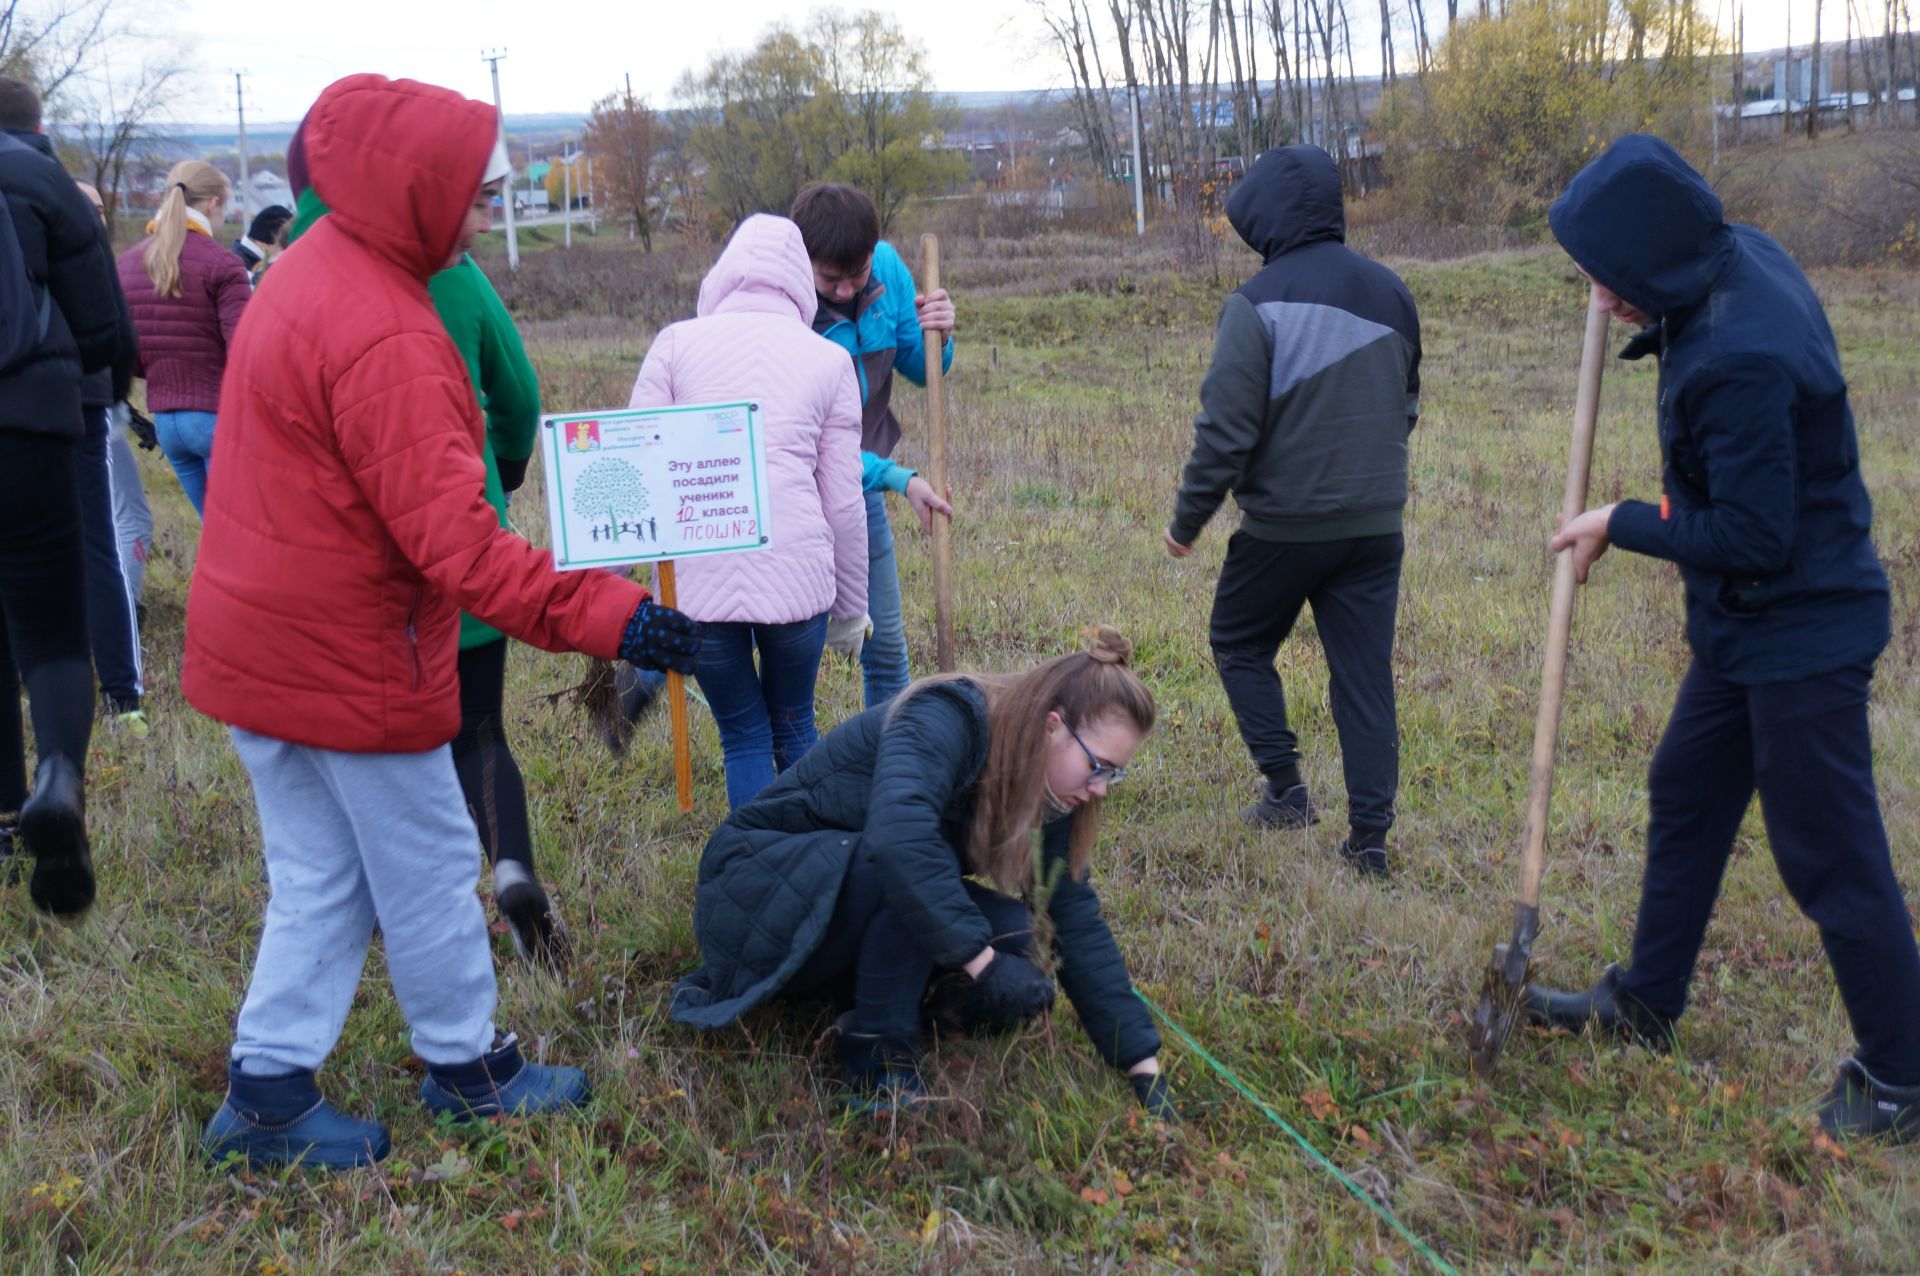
{"type": "Point", "coordinates": [1082, 688]}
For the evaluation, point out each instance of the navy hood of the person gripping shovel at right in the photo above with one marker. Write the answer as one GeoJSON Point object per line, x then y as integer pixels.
{"type": "Point", "coordinates": [1643, 224]}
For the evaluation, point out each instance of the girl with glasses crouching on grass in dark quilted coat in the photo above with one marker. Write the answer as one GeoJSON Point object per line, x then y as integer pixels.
{"type": "Point", "coordinates": [850, 876]}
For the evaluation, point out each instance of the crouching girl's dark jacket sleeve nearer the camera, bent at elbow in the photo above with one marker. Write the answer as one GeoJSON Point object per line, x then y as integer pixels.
{"type": "Point", "coordinates": [928, 755]}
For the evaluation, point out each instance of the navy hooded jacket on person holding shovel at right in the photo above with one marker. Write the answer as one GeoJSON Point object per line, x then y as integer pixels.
{"type": "Point", "coordinates": [1765, 511]}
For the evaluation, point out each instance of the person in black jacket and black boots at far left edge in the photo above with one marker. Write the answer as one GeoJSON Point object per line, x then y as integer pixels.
{"type": "Point", "coordinates": [43, 577]}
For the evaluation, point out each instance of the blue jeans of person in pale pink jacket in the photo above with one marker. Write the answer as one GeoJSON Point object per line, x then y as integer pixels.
{"type": "Point", "coordinates": [767, 717]}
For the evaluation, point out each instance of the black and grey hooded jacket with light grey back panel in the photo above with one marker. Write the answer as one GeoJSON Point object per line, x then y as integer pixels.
{"type": "Point", "coordinates": [1316, 379]}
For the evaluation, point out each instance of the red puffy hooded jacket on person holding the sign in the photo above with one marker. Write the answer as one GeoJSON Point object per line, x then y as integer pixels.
{"type": "Point", "coordinates": [350, 525]}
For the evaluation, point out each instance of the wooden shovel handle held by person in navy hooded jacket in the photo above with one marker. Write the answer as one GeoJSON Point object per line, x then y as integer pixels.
{"type": "Point", "coordinates": [1560, 615]}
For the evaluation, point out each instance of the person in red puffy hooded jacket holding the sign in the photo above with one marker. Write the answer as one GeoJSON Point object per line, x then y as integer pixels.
{"type": "Point", "coordinates": [347, 534]}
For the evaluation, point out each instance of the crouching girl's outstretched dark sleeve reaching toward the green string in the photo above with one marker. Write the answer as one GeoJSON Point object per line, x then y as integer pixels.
{"type": "Point", "coordinates": [1090, 964]}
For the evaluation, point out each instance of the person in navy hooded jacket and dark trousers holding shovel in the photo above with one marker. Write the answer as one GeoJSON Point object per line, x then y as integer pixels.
{"type": "Point", "coordinates": [1787, 609]}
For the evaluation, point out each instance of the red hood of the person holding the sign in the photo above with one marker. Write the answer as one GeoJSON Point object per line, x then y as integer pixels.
{"type": "Point", "coordinates": [398, 164]}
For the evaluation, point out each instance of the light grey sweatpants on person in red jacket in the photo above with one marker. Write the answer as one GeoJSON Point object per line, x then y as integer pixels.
{"type": "Point", "coordinates": [352, 841]}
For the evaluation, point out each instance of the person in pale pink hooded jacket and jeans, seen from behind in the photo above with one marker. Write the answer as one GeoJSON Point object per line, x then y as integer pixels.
{"type": "Point", "coordinates": [754, 343]}
